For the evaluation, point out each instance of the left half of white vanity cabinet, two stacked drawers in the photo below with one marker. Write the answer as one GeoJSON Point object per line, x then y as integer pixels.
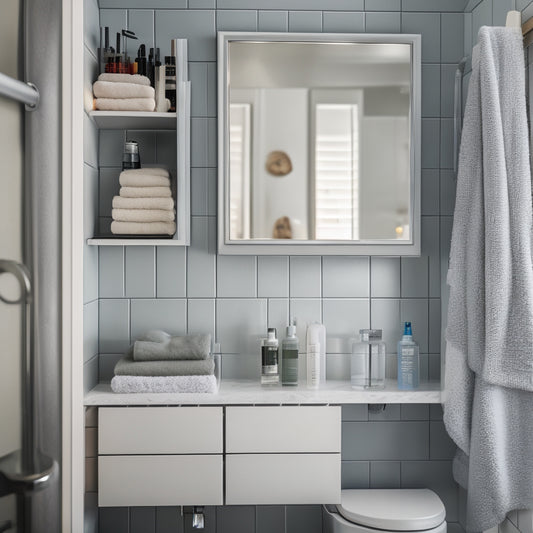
{"type": "Point", "coordinates": [160, 456]}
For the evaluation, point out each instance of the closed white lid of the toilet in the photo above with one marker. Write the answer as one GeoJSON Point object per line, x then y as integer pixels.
{"type": "Point", "coordinates": [393, 509]}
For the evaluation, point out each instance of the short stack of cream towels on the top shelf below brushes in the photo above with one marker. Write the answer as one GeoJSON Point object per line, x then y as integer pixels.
{"type": "Point", "coordinates": [123, 92]}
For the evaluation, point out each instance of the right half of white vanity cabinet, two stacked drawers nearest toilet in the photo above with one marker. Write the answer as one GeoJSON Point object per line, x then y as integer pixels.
{"type": "Point", "coordinates": [283, 455]}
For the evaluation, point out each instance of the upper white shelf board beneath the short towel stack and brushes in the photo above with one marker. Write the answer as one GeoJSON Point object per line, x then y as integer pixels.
{"type": "Point", "coordinates": [134, 120]}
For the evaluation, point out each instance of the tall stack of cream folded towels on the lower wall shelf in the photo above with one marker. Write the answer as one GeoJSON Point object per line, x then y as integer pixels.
{"type": "Point", "coordinates": [145, 205]}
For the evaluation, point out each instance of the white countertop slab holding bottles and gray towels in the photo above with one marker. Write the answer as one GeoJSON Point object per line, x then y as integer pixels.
{"type": "Point", "coordinates": [250, 392]}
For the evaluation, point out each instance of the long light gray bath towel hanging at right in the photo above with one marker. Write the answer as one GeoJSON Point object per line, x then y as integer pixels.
{"type": "Point", "coordinates": [488, 404]}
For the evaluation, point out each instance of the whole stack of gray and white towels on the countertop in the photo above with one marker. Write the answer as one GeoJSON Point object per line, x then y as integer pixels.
{"type": "Point", "coordinates": [159, 362]}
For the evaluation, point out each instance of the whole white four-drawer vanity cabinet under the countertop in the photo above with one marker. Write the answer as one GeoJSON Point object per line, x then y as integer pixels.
{"type": "Point", "coordinates": [174, 455]}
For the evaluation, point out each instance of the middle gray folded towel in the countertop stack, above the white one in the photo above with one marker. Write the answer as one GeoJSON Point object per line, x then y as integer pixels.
{"type": "Point", "coordinates": [127, 366]}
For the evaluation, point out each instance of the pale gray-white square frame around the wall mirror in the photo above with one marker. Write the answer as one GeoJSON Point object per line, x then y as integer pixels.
{"type": "Point", "coordinates": [226, 246]}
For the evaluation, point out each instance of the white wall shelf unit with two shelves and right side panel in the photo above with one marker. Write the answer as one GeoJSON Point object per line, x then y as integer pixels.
{"type": "Point", "coordinates": [181, 122]}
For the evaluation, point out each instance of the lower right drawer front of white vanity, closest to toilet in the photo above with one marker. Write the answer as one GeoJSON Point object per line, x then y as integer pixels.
{"type": "Point", "coordinates": [277, 479]}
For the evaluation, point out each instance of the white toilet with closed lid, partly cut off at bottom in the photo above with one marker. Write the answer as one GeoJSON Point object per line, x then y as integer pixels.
{"type": "Point", "coordinates": [385, 511]}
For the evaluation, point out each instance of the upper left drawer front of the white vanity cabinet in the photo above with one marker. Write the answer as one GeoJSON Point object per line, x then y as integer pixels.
{"type": "Point", "coordinates": [152, 430]}
